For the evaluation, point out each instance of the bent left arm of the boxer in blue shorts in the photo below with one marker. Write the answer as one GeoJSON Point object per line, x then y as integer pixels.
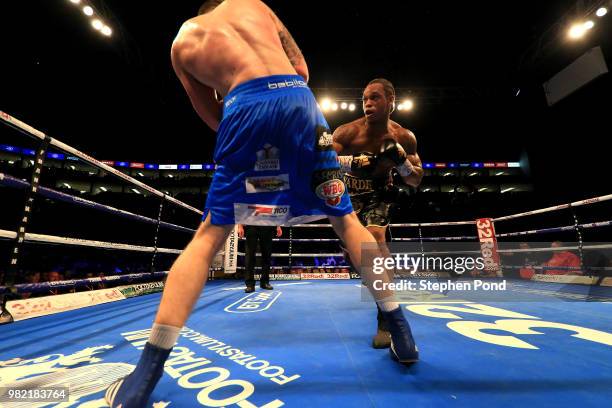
{"type": "Point", "coordinates": [203, 98]}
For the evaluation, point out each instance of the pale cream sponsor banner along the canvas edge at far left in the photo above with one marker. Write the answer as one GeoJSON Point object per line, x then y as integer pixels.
{"type": "Point", "coordinates": [28, 308]}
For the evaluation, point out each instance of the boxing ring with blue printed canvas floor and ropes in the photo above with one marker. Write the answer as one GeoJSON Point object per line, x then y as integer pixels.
{"type": "Point", "coordinates": [307, 343]}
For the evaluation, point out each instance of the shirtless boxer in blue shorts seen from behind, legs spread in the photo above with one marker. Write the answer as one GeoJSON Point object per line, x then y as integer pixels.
{"type": "Point", "coordinates": [273, 166]}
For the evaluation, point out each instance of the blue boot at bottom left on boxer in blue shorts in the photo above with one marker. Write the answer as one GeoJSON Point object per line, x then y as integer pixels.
{"type": "Point", "coordinates": [134, 390]}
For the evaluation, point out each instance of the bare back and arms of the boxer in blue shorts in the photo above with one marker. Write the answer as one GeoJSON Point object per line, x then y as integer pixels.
{"type": "Point", "coordinates": [231, 45]}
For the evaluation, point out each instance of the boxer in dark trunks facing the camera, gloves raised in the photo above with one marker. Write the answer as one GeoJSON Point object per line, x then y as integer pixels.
{"type": "Point", "coordinates": [369, 185]}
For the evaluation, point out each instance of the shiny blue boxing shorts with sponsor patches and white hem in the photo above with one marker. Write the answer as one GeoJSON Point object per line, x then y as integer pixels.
{"type": "Point", "coordinates": [275, 159]}
